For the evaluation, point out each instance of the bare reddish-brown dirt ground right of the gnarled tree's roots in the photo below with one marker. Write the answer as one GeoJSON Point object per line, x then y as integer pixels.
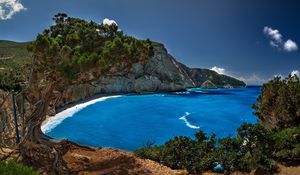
{"type": "Point", "coordinates": [98, 161]}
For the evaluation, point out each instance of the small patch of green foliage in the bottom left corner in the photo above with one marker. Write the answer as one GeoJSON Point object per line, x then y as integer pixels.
{"type": "Point", "coordinates": [11, 167]}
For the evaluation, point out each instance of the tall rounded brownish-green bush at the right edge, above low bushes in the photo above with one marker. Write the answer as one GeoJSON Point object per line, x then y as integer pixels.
{"type": "Point", "coordinates": [279, 103]}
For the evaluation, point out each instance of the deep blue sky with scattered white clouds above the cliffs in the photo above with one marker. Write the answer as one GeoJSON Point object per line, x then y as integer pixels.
{"type": "Point", "coordinates": [252, 40]}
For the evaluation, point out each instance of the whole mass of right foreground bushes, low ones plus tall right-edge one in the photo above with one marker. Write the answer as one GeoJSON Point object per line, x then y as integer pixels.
{"type": "Point", "coordinates": [255, 147]}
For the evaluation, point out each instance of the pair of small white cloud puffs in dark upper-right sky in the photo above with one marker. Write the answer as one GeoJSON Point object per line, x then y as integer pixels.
{"type": "Point", "coordinates": [277, 41]}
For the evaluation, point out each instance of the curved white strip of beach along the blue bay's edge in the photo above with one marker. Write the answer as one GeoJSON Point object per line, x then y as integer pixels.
{"type": "Point", "coordinates": [52, 122]}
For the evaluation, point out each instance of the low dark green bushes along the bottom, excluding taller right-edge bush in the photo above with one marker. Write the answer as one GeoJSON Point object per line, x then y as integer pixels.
{"type": "Point", "coordinates": [251, 150]}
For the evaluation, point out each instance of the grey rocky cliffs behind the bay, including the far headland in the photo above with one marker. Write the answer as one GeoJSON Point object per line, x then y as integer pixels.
{"type": "Point", "coordinates": [160, 73]}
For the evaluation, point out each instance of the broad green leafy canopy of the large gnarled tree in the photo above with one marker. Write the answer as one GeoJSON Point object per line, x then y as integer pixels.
{"type": "Point", "coordinates": [72, 46]}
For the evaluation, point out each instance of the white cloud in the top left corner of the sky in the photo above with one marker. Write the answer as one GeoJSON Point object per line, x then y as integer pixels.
{"type": "Point", "coordinates": [10, 7]}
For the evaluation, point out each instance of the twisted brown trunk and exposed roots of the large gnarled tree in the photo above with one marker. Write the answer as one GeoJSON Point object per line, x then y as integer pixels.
{"type": "Point", "coordinates": [37, 149]}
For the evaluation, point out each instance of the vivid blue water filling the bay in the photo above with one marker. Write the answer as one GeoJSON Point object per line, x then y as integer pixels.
{"type": "Point", "coordinates": [128, 122]}
